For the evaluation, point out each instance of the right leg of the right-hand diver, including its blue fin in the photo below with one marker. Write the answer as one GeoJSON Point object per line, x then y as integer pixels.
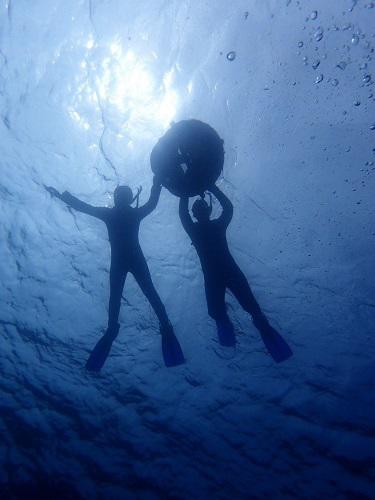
{"type": "Point", "coordinates": [275, 344]}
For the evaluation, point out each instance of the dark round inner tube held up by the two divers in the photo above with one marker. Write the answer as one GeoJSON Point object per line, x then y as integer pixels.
{"type": "Point", "coordinates": [188, 158]}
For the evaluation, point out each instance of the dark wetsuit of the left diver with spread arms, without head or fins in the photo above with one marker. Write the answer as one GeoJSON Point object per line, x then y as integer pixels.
{"type": "Point", "coordinates": [126, 253]}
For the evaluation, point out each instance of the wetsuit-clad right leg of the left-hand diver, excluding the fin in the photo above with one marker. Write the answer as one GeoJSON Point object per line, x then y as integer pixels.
{"type": "Point", "coordinates": [141, 273]}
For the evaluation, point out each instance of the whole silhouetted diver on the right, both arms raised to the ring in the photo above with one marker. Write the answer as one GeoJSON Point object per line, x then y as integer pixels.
{"type": "Point", "coordinates": [221, 272]}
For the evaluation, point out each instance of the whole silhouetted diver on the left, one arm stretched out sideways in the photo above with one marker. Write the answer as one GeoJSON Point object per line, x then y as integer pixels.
{"type": "Point", "coordinates": [123, 223]}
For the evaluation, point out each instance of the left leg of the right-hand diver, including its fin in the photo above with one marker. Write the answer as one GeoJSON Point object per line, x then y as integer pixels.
{"type": "Point", "coordinates": [215, 297]}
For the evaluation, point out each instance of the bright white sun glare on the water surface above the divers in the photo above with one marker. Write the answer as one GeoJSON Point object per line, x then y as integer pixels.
{"type": "Point", "coordinates": [127, 86]}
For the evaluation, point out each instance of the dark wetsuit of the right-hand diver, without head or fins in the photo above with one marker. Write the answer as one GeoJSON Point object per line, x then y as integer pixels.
{"type": "Point", "coordinates": [219, 268]}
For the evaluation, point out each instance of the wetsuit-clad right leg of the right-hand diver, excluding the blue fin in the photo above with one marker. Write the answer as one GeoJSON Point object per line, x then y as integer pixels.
{"type": "Point", "coordinates": [239, 286]}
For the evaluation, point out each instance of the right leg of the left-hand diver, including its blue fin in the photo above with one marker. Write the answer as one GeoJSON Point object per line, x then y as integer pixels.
{"type": "Point", "coordinates": [171, 349]}
